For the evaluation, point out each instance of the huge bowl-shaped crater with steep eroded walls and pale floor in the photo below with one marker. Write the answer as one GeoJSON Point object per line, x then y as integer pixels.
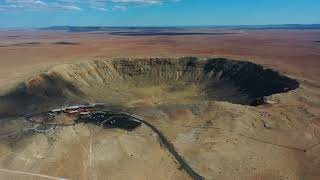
{"type": "Point", "coordinates": [120, 81]}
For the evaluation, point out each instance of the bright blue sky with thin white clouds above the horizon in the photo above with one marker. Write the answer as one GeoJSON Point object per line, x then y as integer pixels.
{"type": "Point", "coordinates": [43, 13]}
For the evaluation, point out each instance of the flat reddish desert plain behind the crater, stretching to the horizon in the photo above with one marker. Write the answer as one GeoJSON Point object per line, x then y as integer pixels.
{"type": "Point", "coordinates": [295, 52]}
